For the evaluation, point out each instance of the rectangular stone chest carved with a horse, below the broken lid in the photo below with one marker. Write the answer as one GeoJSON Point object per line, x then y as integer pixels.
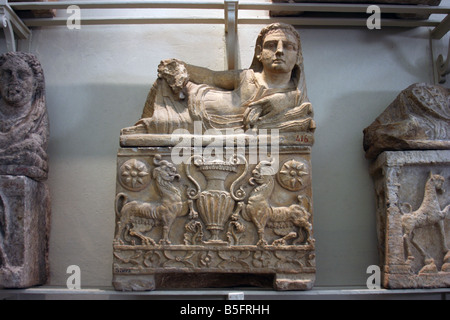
{"type": "Point", "coordinates": [413, 216]}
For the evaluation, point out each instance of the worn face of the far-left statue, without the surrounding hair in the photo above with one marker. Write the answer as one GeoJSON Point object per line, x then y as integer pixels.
{"type": "Point", "coordinates": [16, 82]}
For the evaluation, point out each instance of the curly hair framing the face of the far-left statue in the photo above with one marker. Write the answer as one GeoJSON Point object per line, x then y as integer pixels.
{"type": "Point", "coordinates": [35, 65]}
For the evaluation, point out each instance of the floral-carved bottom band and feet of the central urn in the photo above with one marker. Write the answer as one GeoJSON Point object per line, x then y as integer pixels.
{"type": "Point", "coordinates": [138, 268]}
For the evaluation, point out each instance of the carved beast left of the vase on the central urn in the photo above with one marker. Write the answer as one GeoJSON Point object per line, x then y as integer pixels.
{"type": "Point", "coordinates": [163, 212]}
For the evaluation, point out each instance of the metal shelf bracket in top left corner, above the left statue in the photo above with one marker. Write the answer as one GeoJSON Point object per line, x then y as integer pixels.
{"type": "Point", "coordinates": [12, 27]}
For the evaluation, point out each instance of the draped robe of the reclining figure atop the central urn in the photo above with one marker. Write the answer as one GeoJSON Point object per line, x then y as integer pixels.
{"type": "Point", "coordinates": [221, 109]}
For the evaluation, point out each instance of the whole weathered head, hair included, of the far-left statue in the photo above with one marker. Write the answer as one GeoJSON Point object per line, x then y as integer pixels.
{"type": "Point", "coordinates": [21, 80]}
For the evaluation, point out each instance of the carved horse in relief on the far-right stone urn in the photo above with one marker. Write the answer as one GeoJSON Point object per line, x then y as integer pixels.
{"type": "Point", "coordinates": [428, 214]}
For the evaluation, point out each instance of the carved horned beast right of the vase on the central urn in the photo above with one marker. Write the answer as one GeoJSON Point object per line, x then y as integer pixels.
{"type": "Point", "coordinates": [280, 219]}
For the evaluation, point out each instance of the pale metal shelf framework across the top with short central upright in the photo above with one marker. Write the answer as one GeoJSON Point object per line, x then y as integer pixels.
{"type": "Point", "coordinates": [231, 8]}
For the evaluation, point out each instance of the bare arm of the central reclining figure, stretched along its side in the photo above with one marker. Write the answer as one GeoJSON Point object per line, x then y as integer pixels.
{"type": "Point", "coordinates": [222, 79]}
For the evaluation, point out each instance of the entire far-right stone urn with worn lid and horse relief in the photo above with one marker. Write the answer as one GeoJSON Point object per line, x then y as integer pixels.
{"type": "Point", "coordinates": [410, 143]}
